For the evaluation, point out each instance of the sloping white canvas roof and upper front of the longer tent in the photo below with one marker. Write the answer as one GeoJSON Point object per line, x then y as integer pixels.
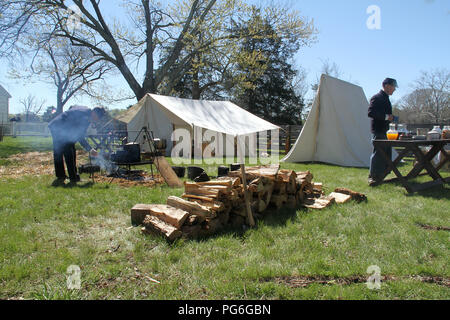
{"type": "Point", "coordinates": [163, 114]}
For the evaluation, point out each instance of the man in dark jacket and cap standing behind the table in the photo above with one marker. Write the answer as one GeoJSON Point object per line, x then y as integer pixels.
{"type": "Point", "coordinates": [380, 112]}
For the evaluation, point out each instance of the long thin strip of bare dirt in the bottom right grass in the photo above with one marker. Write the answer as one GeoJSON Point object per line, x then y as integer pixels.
{"type": "Point", "coordinates": [305, 281]}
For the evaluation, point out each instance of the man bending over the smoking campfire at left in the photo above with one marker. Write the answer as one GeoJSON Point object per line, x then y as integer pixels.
{"type": "Point", "coordinates": [67, 129]}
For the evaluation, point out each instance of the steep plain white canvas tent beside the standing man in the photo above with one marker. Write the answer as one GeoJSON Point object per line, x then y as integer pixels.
{"type": "Point", "coordinates": [337, 130]}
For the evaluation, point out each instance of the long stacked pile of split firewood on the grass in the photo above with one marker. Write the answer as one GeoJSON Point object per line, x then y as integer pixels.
{"type": "Point", "coordinates": [206, 207]}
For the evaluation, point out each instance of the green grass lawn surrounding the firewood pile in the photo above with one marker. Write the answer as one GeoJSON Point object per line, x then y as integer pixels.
{"type": "Point", "coordinates": [292, 254]}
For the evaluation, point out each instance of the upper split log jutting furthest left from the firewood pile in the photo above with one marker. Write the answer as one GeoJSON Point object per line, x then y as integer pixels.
{"type": "Point", "coordinates": [166, 213]}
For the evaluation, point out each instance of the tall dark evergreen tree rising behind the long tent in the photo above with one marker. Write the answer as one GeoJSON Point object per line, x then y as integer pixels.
{"type": "Point", "coordinates": [272, 95]}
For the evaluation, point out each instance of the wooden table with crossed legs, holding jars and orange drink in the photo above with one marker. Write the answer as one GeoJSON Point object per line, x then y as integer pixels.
{"type": "Point", "coordinates": [424, 161]}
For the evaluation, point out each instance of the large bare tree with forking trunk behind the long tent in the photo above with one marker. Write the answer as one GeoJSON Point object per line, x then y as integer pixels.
{"type": "Point", "coordinates": [152, 27]}
